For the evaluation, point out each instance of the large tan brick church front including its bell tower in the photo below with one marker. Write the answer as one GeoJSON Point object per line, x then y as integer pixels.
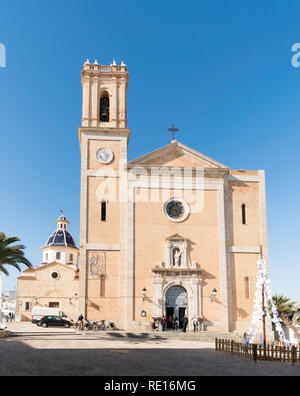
{"type": "Point", "coordinates": [171, 232]}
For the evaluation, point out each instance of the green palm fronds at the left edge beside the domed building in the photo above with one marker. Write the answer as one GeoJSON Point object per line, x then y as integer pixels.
{"type": "Point", "coordinates": [11, 254]}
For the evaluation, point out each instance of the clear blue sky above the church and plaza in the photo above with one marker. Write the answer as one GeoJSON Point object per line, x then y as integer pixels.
{"type": "Point", "coordinates": [220, 70]}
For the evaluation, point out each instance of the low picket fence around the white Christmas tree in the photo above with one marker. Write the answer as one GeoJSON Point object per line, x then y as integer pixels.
{"type": "Point", "coordinates": [258, 352]}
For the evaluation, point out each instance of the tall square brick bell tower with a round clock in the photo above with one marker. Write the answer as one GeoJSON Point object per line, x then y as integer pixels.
{"type": "Point", "coordinates": [103, 138]}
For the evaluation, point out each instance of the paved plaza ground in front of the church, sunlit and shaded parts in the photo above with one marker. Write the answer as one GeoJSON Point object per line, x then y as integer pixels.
{"type": "Point", "coordinates": [54, 351]}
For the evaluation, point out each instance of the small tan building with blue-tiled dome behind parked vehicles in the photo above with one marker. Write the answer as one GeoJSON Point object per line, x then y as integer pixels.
{"type": "Point", "coordinates": [55, 282]}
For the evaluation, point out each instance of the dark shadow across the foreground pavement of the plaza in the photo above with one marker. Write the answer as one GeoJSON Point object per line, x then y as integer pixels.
{"type": "Point", "coordinates": [19, 359]}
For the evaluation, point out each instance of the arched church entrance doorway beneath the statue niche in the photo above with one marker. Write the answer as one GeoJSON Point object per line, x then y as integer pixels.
{"type": "Point", "coordinates": [176, 303]}
